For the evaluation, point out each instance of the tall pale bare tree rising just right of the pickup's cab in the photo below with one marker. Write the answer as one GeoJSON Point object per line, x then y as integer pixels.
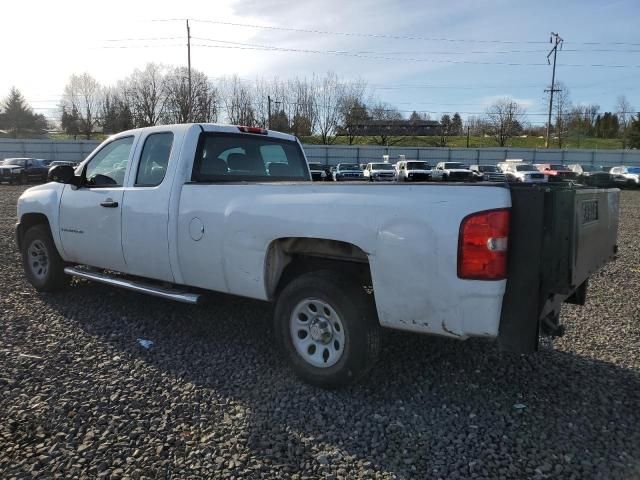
{"type": "Point", "coordinates": [329, 94]}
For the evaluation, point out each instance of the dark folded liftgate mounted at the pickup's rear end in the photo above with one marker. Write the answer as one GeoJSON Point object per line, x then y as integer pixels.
{"type": "Point", "coordinates": [560, 234]}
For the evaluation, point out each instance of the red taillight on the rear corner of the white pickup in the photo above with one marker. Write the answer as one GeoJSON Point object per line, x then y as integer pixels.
{"type": "Point", "coordinates": [482, 246]}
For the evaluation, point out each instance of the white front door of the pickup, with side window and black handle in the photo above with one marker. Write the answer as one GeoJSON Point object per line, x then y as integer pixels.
{"type": "Point", "coordinates": [90, 214]}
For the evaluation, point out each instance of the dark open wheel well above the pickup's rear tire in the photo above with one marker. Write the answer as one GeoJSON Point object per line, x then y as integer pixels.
{"type": "Point", "coordinates": [288, 258]}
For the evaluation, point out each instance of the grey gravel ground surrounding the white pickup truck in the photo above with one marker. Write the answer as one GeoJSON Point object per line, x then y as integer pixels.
{"type": "Point", "coordinates": [80, 398]}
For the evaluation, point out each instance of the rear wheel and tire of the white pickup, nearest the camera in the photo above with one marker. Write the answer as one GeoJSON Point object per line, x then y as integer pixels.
{"type": "Point", "coordinates": [327, 327]}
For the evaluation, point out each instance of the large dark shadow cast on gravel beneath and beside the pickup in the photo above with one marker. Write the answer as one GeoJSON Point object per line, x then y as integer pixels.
{"type": "Point", "coordinates": [431, 407]}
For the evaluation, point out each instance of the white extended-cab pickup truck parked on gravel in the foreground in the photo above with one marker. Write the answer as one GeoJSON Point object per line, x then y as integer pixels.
{"type": "Point", "coordinates": [180, 211]}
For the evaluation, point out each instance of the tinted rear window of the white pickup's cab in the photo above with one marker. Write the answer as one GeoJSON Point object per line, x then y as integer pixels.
{"type": "Point", "coordinates": [242, 157]}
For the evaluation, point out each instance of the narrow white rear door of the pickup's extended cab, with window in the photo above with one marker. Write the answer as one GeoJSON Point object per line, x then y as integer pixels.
{"type": "Point", "coordinates": [145, 213]}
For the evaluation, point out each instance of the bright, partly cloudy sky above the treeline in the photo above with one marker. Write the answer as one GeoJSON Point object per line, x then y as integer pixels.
{"type": "Point", "coordinates": [431, 56]}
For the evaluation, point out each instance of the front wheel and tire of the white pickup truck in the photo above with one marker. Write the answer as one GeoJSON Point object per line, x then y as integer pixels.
{"type": "Point", "coordinates": [43, 266]}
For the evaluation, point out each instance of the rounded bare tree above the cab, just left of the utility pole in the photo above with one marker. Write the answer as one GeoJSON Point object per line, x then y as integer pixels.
{"type": "Point", "coordinates": [145, 93]}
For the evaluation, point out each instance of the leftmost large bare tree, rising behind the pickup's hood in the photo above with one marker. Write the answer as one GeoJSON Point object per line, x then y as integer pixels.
{"type": "Point", "coordinates": [83, 94]}
